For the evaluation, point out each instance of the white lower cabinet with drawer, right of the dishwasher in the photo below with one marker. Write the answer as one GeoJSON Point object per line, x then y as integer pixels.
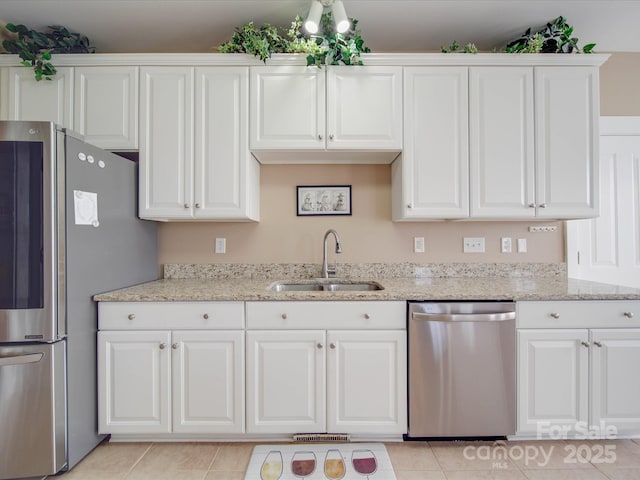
{"type": "Point", "coordinates": [578, 380]}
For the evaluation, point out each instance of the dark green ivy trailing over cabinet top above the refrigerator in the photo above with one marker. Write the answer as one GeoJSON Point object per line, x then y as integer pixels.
{"type": "Point", "coordinates": [35, 48]}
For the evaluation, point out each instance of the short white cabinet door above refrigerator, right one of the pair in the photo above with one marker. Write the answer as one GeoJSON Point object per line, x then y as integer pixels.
{"type": "Point", "coordinates": [106, 106]}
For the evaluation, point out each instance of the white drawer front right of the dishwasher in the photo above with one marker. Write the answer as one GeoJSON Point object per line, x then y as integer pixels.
{"type": "Point", "coordinates": [579, 314]}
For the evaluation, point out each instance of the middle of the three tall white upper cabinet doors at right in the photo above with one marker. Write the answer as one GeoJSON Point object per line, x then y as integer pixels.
{"type": "Point", "coordinates": [501, 155]}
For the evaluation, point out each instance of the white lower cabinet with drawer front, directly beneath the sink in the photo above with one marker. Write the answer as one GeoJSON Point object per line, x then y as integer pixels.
{"type": "Point", "coordinates": [308, 379]}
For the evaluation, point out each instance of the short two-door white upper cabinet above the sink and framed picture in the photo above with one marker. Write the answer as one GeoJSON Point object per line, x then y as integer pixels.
{"type": "Point", "coordinates": [337, 108]}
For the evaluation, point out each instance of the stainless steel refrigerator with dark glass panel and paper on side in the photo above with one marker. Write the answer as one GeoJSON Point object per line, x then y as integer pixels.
{"type": "Point", "coordinates": [68, 230]}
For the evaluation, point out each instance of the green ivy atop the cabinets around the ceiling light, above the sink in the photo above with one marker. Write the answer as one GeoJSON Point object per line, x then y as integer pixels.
{"type": "Point", "coordinates": [328, 47]}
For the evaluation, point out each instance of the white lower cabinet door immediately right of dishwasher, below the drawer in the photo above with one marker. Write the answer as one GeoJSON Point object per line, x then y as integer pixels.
{"type": "Point", "coordinates": [552, 379]}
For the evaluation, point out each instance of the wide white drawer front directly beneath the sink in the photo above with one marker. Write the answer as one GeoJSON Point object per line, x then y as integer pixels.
{"type": "Point", "coordinates": [326, 315]}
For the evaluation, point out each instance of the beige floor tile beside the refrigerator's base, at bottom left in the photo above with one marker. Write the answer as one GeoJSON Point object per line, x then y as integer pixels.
{"type": "Point", "coordinates": [113, 457]}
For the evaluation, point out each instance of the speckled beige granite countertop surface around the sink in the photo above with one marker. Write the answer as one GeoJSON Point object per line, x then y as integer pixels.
{"type": "Point", "coordinates": [400, 288]}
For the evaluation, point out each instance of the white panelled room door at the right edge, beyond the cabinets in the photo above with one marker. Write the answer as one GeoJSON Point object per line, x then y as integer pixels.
{"type": "Point", "coordinates": [607, 249]}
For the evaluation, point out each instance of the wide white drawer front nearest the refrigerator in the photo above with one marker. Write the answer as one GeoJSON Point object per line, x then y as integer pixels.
{"type": "Point", "coordinates": [170, 315]}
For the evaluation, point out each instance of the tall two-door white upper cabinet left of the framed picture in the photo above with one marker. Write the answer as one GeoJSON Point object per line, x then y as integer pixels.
{"type": "Point", "coordinates": [194, 160]}
